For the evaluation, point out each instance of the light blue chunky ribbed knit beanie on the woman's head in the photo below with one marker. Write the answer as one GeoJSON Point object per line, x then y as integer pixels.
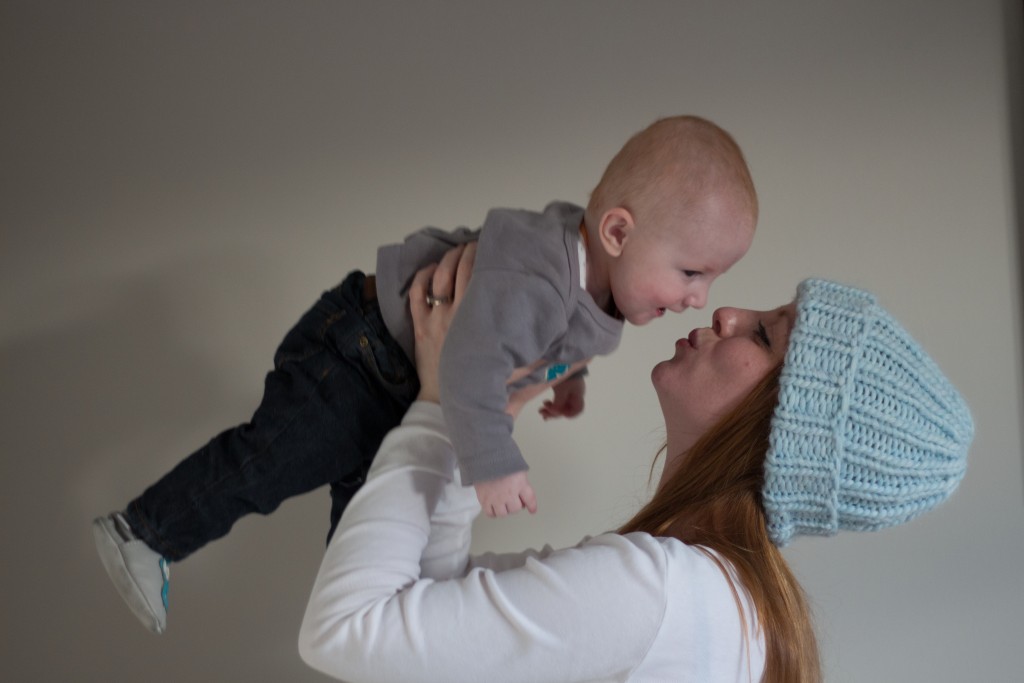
{"type": "Point", "coordinates": [869, 433]}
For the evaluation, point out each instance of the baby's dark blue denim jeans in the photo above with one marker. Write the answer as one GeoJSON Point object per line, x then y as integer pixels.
{"type": "Point", "coordinates": [339, 385]}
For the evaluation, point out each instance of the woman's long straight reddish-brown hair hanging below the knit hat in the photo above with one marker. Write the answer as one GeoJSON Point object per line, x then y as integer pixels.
{"type": "Point", "coordinates": [714, 501]}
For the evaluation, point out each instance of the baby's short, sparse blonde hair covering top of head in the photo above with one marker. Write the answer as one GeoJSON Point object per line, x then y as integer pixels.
{"type": "Point", "coordinates": [667, 167]}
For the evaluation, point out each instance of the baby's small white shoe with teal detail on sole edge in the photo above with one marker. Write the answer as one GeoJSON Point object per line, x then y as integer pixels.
{"type": "Point", "coordinates": [139, 573]}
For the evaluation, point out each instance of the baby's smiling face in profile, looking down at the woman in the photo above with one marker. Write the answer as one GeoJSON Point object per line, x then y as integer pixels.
{"type": "Point", "coordinates": [671, 267]}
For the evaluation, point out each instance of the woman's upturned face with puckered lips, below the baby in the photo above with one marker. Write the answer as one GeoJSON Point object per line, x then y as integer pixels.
{"type": "Point", "coordinates": [714, 368]}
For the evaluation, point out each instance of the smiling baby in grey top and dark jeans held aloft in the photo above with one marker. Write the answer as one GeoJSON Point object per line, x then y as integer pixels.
{"type": "Point", "coordinates": [675, 209]}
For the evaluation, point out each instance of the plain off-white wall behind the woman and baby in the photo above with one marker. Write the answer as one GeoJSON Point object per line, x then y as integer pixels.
{"type": "Point", "coordinates": [181, 181]}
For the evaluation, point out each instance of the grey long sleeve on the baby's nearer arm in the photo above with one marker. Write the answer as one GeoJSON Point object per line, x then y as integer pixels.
{"type": "Point", "coordinates": [507, 320]}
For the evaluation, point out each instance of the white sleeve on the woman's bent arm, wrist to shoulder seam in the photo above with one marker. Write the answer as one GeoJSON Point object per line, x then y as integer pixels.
{"type": "Point", "coordinates": [575, 615]}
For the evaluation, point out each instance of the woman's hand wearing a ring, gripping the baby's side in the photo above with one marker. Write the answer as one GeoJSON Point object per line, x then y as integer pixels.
{"type": "Point", "coordinates": [434, 300]}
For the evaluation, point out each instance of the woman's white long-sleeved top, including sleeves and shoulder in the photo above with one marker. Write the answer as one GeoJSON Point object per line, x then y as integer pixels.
{"type": "Point", "coordinates": [399, 600]}
